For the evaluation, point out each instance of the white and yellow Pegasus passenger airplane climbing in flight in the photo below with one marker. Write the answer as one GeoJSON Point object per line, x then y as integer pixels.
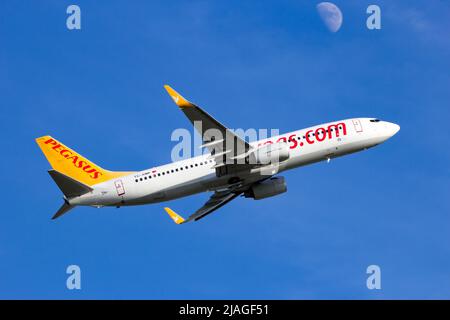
{"type": "Point", "coordinates": [231, 167]}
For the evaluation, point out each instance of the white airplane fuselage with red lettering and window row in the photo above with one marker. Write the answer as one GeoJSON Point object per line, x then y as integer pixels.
{"type": "Point", "coordinates": [194, 175]}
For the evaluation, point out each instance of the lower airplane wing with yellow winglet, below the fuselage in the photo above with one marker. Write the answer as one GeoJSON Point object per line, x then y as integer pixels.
{"type": "Point", "coordinates": [217, 200]}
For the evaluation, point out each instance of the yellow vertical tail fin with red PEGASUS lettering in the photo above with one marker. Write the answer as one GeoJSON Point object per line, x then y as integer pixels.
{"type": "Point", "coordinates": [73, 165]}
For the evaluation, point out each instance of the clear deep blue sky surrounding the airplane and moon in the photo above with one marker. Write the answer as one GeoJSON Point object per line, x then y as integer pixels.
{"type": "Point", "coordinates": [264, 64]}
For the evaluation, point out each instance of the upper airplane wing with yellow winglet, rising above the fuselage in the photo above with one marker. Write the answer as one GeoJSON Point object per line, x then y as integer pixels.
{"type": "Point", "coordinates": [225, 147]}
